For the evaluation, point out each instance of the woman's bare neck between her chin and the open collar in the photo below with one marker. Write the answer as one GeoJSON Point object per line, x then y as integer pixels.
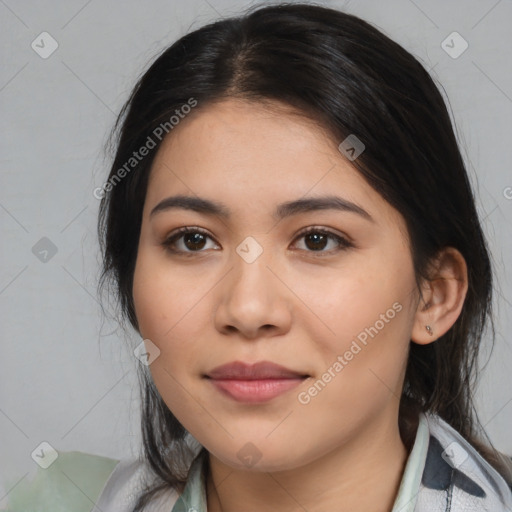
{"type": "Point", "coordinates": [360, 475]}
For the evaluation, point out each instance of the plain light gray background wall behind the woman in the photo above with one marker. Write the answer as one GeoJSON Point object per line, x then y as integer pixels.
{"type": "Point", "coordinates": [67, 376]}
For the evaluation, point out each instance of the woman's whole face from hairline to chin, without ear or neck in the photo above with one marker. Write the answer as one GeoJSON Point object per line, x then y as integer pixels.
{"type": "Point", "coordinates": [248, 285]}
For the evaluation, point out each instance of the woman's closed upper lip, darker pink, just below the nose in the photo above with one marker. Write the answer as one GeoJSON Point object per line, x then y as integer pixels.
{"type": "Point", "coordinates": [261, 370]}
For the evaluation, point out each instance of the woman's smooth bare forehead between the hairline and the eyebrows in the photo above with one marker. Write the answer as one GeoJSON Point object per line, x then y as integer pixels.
{"type": "Point", "coordinates": [252, 156]}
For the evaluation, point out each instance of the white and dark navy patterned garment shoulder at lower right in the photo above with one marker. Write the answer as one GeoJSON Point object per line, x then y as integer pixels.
{"type": "Point", "coordinates": [457, 476]}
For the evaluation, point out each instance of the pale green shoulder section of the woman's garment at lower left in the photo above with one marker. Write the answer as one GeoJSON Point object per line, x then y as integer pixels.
{"type": "Point", "coordinates": [73, 482]}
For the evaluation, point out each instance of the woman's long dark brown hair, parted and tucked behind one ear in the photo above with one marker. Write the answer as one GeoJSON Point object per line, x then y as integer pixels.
{"type": "Point", "coordinates": [351, 78]}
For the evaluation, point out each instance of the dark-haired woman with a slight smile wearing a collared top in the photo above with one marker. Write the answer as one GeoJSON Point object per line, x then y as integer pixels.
{"type": "Point", "coordinates": [289, 226]}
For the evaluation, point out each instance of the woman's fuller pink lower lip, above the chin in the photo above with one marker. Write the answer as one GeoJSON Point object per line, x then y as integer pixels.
{"type": "Point", "coordinates": [255, 391]}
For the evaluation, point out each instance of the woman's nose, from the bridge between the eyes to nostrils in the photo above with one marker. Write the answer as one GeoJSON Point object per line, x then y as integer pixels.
{"type": "Point", "coordinates": [253, 300]}
